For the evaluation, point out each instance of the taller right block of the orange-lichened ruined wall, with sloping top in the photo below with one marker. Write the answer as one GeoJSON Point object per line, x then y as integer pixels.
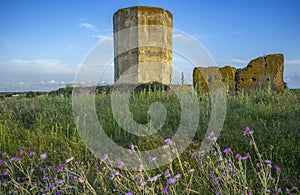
{"type": "Point", "coordinates": [262, 71]}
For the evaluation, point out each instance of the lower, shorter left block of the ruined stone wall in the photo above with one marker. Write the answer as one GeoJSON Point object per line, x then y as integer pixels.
{"type": "Point", "coordinates": [214, 77]}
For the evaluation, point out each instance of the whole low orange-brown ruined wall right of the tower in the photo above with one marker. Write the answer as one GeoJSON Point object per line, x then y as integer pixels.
{"type": "Point", "coordinates": [259, 73]}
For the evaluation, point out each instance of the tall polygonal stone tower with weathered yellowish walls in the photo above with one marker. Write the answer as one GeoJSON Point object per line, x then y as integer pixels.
{"type": "Point", "coordinates": [143, 44]}
